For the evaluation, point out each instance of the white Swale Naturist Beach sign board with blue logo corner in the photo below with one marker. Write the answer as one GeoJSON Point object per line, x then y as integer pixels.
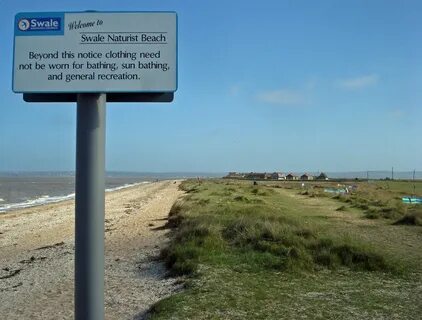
{"type": "Point", "coordinates": [95, 52]}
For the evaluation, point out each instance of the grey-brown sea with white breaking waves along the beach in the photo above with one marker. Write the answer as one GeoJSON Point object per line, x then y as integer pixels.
{"type": "Point", "coordinates": [27, 189]}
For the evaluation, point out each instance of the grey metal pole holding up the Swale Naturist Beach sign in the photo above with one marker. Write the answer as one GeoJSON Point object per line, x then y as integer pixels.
{"type": "Point", "coordinates": [89, 206]}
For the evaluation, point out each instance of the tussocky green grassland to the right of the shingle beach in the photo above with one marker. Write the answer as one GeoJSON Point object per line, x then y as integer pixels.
{"type": "Point", "coordinates": [280, 251]}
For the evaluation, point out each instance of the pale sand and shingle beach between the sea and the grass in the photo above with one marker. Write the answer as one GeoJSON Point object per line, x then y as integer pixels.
{"type": "Point", "coordinates": [37, 255]}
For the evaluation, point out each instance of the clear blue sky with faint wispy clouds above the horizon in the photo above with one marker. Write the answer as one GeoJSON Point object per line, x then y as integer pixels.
{"type": "Point", "coordinates": [263, 86]}
